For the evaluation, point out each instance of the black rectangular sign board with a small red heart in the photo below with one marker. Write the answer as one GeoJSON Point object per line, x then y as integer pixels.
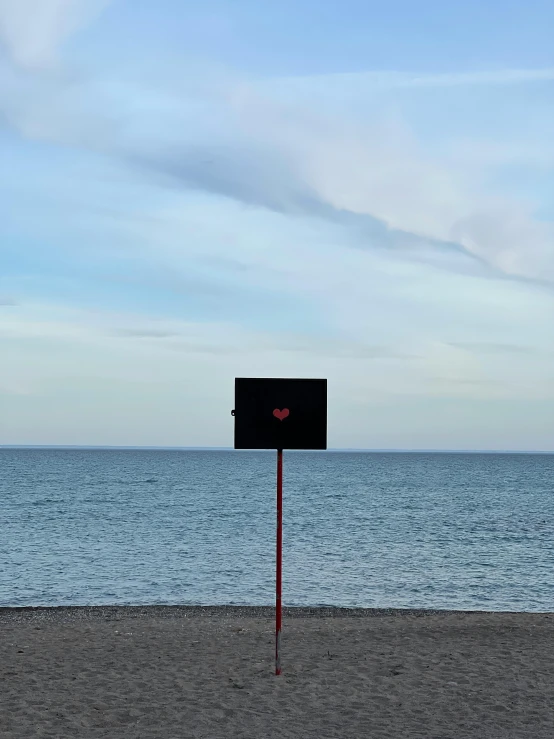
{"type": "Point", "coordinates": [273, 413]}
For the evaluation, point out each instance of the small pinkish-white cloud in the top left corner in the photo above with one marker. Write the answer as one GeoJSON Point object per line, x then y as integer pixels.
{"type": "Point", "coordinates": [32, 31]}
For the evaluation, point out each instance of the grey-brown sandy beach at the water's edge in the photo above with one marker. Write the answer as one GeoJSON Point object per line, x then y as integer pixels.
{"type": "Point", "coordinates": [141, 673]}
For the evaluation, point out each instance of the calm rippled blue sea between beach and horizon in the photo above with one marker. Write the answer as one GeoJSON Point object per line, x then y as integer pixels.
{"type": "Point", "coordinates": [137, 527]}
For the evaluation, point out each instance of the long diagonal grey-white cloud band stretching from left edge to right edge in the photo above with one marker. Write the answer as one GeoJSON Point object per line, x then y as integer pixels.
{"type": "Point", "coordinates": [258, 148]}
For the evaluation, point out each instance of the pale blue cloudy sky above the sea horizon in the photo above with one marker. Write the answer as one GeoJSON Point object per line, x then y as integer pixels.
{"type": "Point", "coordinates": [356, 190]}
